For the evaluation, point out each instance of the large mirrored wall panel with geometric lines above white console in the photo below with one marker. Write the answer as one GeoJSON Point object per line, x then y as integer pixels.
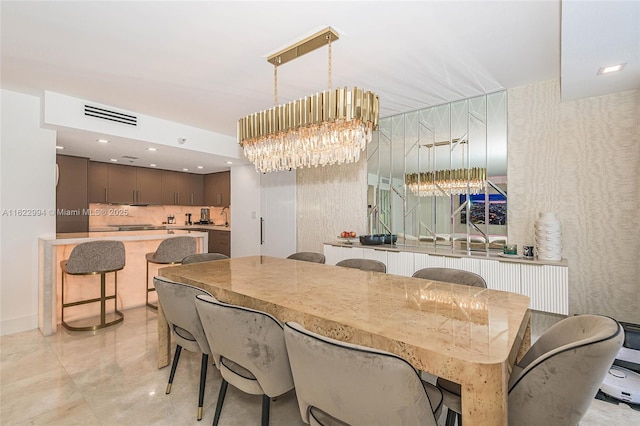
{"type": "Point", "coordinates": [438, 176]}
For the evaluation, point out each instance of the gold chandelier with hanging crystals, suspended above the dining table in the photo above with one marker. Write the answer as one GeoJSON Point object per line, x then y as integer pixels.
{"type": "Point", "coordinates": [329, 127]}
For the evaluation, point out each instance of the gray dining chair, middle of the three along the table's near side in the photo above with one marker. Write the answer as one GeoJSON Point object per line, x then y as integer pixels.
{"type": "Point", "coordinates": [253, 356]}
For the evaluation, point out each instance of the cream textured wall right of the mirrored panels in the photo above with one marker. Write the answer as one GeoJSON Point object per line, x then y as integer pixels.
{"type": "Point", "coordinates": [581, 160]}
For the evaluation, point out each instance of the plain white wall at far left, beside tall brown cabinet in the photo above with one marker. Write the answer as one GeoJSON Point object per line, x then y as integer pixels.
{"type": "Point", "coordinates": [27, 185]}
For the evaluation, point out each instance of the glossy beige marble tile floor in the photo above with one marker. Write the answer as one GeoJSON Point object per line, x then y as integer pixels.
{"type": "Point", "coordinates": [110, 377]}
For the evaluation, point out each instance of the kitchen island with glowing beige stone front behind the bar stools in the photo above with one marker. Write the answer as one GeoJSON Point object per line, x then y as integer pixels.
{"type": "Point", "coordinates": [131, 280]}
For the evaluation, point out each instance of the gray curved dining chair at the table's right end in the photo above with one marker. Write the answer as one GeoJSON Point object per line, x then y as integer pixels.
{"type": "Point", "coordinates": [558, 377]}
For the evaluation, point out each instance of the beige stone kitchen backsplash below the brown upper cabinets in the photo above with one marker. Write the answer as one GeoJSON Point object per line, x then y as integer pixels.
{"type": "Point", "coordinates": [105, 215]}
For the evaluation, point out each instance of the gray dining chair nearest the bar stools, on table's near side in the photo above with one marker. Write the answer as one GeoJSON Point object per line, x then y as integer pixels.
{"type": "Point", "coordinates": [178, 304]}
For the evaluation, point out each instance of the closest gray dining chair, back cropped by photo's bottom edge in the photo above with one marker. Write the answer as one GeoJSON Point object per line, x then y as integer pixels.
{"type": "Point", "coordinates": [339, 383]}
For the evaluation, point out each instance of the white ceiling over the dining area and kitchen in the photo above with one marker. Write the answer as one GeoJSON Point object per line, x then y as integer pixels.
{"type": "Point", "coordinates": [204, 64]}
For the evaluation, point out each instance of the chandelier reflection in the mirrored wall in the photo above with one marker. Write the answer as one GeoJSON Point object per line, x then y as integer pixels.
{"type": "Point", "coordinates": [447, 182]}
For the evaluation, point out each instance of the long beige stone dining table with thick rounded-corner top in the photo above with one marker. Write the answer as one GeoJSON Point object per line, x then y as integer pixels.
{"type": "Point", "coordinates": [468, 335]}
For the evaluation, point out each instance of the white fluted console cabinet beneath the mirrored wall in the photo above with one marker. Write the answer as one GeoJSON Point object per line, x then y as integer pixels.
{"type": "Point", "coordinates": [547, 284]}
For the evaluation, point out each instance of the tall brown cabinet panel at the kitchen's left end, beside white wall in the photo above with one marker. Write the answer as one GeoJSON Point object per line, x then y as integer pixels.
{"type": "Point", "coordinates": [72, 201]}
